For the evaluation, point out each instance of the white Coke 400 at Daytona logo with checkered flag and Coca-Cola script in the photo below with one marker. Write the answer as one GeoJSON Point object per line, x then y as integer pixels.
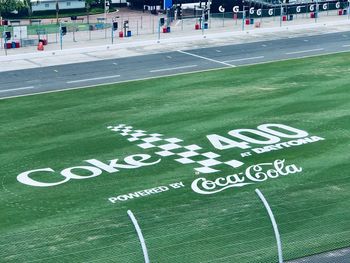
{"type": "Point", "coordinates": [265, 138]}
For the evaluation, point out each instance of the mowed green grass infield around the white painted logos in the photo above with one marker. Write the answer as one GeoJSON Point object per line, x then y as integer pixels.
{"type": "Point", "coordinates": [75, 222]}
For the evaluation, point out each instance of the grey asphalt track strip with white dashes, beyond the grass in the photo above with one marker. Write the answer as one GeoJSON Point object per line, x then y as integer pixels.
{"type": "Point", "coordinates": [47, 79]}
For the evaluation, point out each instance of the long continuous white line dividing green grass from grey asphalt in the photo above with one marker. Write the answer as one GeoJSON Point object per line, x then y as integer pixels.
{"type": "Point", "coordinates": [169, 75]}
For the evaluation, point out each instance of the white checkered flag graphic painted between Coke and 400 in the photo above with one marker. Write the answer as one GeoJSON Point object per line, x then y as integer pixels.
{"type": "Point", "coordinates": [206, 162]}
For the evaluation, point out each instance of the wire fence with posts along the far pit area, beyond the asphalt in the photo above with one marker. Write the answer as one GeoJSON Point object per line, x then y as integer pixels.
{"type": "Point", "coordinates": [72, 33]}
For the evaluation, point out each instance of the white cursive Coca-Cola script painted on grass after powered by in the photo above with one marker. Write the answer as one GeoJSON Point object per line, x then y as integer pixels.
{"type": "Point", "coordinates": [254, 173]}
